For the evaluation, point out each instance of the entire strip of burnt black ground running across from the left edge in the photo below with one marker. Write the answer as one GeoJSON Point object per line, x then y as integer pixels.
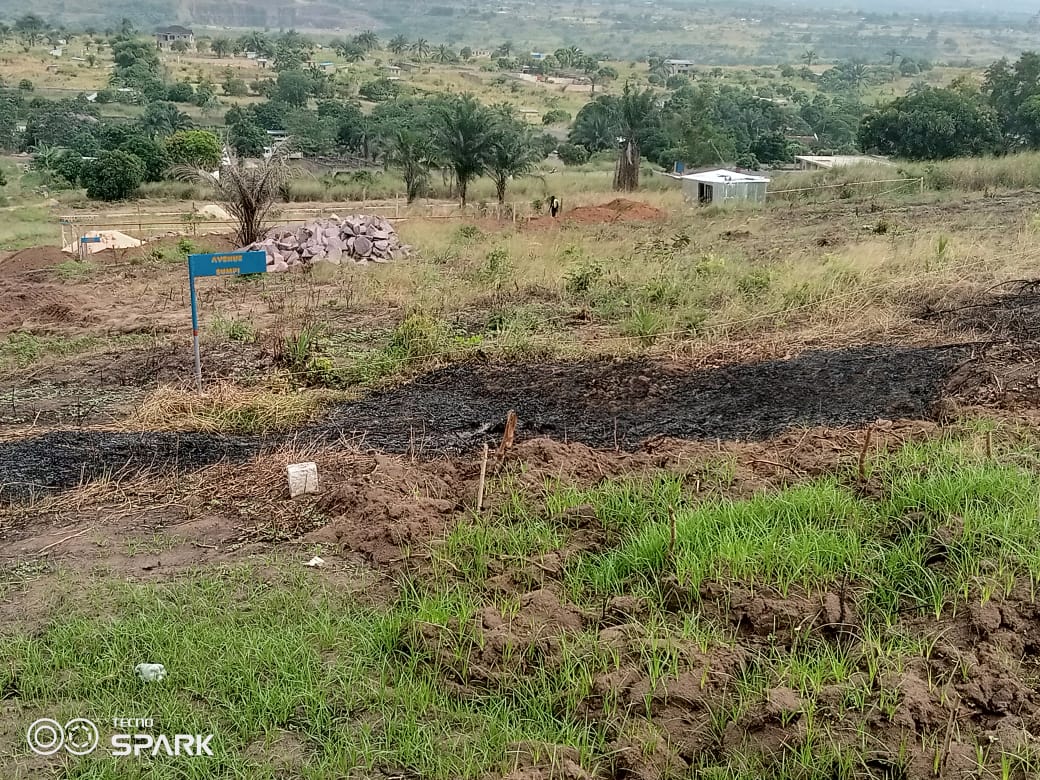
{"type": "Point", "coordinates": [596, 403]}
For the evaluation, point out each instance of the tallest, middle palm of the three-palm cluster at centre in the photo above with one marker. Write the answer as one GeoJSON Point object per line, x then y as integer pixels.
{"type": "Point", "coordinates": [463, 132]}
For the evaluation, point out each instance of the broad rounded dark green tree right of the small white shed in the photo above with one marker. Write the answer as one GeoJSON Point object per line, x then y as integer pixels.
{"type": "Point", "coordinates": [932, 125]}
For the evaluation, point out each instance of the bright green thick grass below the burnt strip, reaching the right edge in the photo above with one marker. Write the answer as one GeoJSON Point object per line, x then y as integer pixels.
{"type": "Point", "coordinates": [950, 526]}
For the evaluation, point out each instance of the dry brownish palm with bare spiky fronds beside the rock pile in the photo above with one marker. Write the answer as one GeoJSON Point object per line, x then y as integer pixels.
{"type": "Point", "coordinates": [248, 190]}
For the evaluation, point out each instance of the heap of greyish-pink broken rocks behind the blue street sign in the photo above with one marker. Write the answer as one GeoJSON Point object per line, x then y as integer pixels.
{"type": "Point", "coordinates": [359, 240]}
